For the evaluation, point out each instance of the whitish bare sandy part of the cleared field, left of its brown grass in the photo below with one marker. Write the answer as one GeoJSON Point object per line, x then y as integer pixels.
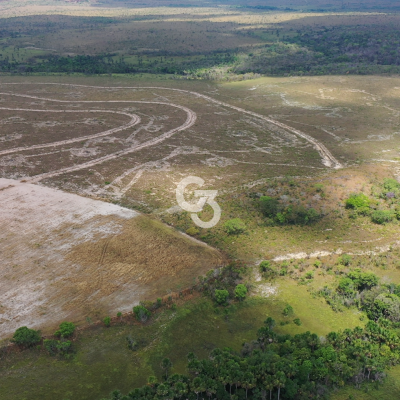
{"type": "Point", "coordinates": [34, 221]}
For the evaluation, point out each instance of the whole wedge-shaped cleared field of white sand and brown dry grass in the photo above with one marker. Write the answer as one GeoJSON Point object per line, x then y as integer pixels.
{"type": "Point", "coordinates": [66, 257]}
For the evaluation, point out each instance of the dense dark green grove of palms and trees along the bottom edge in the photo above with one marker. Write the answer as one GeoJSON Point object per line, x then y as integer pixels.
{"type": "Point", "coordinates": [285, 365]}
